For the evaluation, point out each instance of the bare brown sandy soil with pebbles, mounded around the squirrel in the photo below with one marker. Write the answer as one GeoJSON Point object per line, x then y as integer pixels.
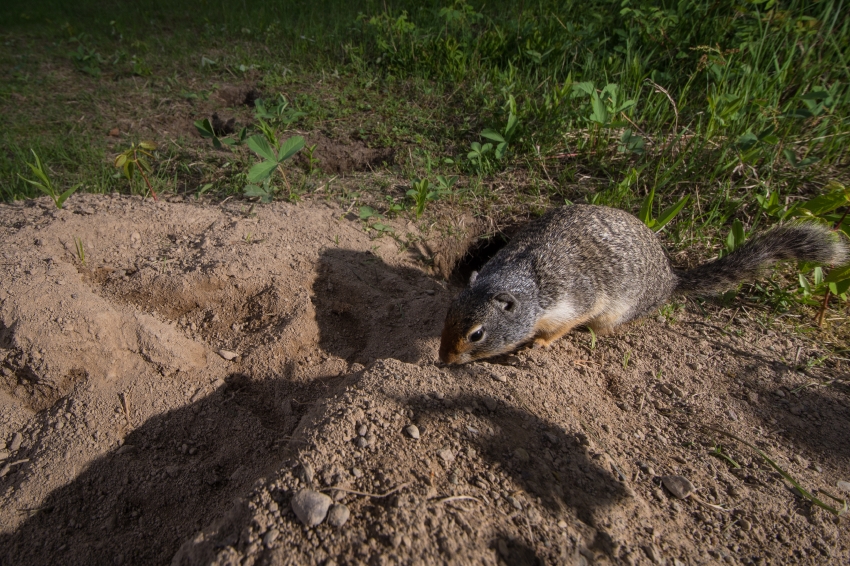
{"type": "Point", "coordinates": [166, 400]}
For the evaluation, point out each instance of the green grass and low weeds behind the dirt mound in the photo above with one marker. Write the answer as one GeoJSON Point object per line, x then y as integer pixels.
{"type": "Point", "coordinates": [718, 100]}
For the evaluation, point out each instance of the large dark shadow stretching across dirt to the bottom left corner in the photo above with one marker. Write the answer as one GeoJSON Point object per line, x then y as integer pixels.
{"type": "Point", "coordinates": [174, 474]}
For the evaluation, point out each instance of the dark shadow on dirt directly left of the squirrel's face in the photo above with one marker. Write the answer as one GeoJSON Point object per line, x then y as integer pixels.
{"type": "Point", "coordinates": [368, 310]}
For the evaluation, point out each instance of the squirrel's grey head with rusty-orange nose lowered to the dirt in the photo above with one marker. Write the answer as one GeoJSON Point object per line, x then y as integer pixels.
{"type": "Point", "coordinates": [483, 323]}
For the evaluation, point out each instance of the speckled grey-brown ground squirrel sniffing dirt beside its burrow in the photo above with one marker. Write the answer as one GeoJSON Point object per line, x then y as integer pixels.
{"type": "Point", "coordinates": [599, 267]}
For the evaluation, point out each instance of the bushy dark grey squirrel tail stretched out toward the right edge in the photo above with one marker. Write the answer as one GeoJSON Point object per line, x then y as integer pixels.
{"type": "Point", "coordinates": [805, 241]}
